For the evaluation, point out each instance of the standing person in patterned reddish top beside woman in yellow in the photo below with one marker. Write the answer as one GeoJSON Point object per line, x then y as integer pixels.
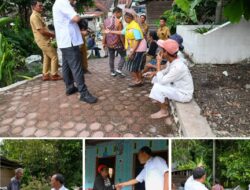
{"type": "Point", "coordinates": [115, 42]}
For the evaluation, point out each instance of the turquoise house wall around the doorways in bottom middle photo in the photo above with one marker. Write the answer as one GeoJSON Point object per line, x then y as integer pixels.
{"type": "Point", "coordinates": [124, 162]}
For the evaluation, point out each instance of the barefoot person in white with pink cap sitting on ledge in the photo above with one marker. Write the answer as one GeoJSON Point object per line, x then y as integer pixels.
{"type": "Point", "coordinates": [174, 82]}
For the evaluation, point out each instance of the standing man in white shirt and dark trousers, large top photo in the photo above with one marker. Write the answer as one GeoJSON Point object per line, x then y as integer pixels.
{"type": "Point", "coordinates": [69, 38]}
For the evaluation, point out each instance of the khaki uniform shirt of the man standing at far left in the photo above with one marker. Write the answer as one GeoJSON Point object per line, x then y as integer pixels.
{"type": "Point", "coordinates": [37, 22]}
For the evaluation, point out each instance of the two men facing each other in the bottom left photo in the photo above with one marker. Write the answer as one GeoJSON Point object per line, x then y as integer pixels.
{"type": "Point", "coordinates": [56, 181]}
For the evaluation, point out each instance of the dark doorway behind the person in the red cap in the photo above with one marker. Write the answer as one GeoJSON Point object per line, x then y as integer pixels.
{"type": "Point", "coordinates": [110, 163]}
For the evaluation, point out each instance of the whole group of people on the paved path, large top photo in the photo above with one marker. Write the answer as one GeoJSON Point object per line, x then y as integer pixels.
{"type": "Point", "coordinates": [170, 75]}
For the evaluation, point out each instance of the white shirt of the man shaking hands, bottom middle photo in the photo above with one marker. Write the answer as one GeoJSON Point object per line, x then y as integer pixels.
{"type": "Point", "coordinates": [153, 173]}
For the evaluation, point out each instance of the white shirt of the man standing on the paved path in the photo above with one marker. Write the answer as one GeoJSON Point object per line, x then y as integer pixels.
{"type": "Point", "coordinates": [67, 32]}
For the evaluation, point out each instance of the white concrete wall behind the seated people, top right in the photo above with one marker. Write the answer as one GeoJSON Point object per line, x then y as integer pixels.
{"type": "Point", "coordinates": [225, 44]}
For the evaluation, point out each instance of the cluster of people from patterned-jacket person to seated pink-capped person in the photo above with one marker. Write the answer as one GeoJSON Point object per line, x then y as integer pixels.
{"type": "Point", "coordinates": [170, 75]}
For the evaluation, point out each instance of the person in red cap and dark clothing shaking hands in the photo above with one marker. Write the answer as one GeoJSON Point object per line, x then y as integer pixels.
{"type": "Point", "coordinates": [102, 180]}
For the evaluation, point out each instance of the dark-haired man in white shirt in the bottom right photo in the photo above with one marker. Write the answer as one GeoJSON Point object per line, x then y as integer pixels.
{"type": "Point", "coordinates": [197, 180]}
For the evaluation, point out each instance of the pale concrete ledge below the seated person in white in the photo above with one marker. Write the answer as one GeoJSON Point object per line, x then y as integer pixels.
{"type": "Point", "coordinates": [191, 122]}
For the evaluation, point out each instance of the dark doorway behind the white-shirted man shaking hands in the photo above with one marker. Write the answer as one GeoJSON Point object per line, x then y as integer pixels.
{"type": "Point", "coordinates": [139, 167]}
